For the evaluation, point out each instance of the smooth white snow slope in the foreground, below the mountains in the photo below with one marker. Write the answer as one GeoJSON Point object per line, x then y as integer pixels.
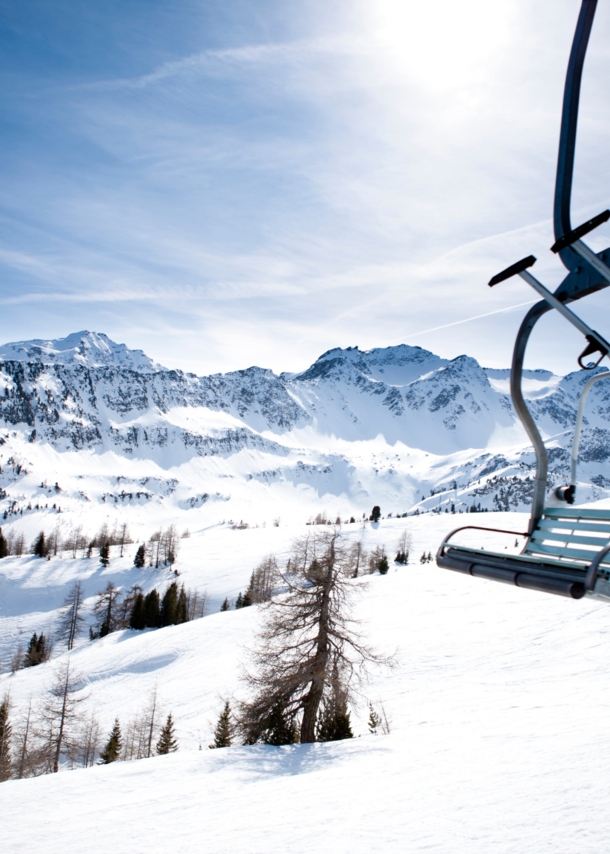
{"type": "Point", "coordinates": [496, 703]}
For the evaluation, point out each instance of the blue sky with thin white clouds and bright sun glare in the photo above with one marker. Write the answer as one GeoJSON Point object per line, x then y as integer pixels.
{"type": "Point", "coordinates": [226, 184]}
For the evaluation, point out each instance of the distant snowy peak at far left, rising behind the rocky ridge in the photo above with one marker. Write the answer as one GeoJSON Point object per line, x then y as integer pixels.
{"type": "Point", "coordinates": [91, 349]}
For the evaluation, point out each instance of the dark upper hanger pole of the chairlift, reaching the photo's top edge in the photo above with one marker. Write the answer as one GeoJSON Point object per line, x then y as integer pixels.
{"type": "Point", "coordinates": [567, 136]}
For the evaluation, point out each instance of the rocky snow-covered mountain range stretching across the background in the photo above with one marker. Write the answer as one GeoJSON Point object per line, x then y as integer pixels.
{"type": "Point", "coordinates": [91, 428]}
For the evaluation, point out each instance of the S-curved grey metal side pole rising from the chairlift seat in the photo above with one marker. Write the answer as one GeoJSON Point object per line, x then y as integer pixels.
{"type": "Point", "coordinates": [516, 393]}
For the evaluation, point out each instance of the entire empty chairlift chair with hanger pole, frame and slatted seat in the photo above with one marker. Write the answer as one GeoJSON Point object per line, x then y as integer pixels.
{"type": "Point", "coordinates": [567, 548]}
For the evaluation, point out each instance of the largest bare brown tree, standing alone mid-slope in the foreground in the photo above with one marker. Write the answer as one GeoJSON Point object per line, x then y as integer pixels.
{"type": "Point", "coordinates": [308, 641]}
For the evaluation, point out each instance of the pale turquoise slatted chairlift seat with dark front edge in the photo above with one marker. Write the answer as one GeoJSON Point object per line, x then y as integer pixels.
{"type": "Point", "coordinates": [568, 554]}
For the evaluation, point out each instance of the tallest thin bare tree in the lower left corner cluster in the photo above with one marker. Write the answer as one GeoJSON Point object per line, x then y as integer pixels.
{"type": "Point", "coordinates": [60, 714]}
